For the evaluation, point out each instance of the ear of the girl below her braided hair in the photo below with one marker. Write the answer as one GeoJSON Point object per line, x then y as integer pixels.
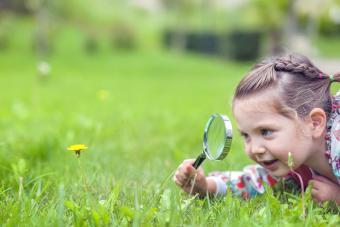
{"type": "Point", "coordinates": [318, 121]}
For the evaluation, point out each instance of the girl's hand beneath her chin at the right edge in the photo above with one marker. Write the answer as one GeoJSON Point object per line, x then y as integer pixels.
{"type": "Point", "coordinates": [325, 190]}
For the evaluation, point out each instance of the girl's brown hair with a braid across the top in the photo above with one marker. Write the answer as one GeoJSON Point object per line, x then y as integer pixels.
{"type": "Point", "coordinates": [299, 84]}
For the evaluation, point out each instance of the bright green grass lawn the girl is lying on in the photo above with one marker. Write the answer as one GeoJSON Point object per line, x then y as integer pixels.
{"type": "Point", "coordinates": [152, 119]}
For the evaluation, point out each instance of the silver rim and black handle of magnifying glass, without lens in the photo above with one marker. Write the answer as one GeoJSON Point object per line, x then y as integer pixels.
{"type": "Point", "coordinates": [228, 135]}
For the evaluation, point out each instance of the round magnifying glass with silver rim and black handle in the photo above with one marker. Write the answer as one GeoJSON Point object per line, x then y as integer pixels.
{"type": "Point", "coordinates": [216, 140]}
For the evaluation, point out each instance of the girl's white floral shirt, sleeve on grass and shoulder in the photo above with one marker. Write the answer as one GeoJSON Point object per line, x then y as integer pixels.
{"type": "Point", "coordinates": [250, 182]}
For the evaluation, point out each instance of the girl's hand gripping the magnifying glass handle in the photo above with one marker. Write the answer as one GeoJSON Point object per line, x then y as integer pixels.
{"type": "Point", "coordinates": [191, 180]}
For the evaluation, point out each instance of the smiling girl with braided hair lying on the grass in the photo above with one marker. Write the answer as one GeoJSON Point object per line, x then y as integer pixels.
{"type": "Point", "coordinates": [282, 106]}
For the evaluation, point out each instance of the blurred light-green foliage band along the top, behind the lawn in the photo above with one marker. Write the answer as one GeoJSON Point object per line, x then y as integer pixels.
{"type": "Point", "coordinates": [125, 25]}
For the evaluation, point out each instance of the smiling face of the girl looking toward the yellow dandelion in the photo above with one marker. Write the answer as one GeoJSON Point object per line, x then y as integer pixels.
{"type": "Point", "coordinates": [269, 136]}
